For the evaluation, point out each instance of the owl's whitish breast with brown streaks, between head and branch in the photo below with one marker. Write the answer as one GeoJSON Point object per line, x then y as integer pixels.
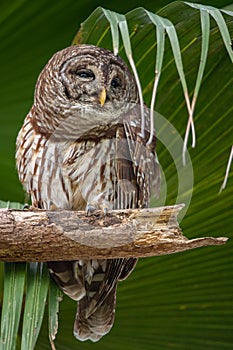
{"type": "Point", "coordinates": [70, 175]}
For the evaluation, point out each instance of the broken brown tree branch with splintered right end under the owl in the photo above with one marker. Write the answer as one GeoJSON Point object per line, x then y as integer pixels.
{"type": "Point", "coordinates": [39, 235]}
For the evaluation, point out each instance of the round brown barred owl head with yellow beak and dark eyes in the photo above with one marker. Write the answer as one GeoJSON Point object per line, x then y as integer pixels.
{"type": "Point", "coordinates": [84, 86]}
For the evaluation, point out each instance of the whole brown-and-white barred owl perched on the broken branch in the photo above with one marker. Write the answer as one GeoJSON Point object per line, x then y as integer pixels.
{"type": "Point", "coordinates": [80, 145]}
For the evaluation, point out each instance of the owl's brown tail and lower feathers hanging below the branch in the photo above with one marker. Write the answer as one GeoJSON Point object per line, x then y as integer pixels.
{"type": "Point", "coordinates": [93, 284]}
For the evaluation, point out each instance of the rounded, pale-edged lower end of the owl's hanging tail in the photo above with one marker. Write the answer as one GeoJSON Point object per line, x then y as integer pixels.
{"type": "Point", "coordinates": [93, 325]}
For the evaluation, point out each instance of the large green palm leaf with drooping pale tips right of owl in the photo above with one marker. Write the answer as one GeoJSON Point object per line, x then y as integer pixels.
{"type": "Point", "coordinates": [184, 300]}
